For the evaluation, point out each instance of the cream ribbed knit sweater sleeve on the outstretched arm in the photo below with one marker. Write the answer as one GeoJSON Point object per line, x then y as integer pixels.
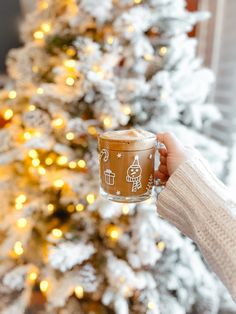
{"type": "Point", "coordinates": [199, 205]}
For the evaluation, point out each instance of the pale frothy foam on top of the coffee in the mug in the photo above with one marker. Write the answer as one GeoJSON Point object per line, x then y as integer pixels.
{"type": "Point", "coordinates": [131, 134]}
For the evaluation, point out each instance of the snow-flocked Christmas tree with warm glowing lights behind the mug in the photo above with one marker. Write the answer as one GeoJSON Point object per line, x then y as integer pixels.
{"type": "Point", "coordinates": [85, 67]}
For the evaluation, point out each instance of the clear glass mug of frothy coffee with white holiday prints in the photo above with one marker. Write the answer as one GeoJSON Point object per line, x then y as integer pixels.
{"type": "Point", "coordinates": [126, 163]}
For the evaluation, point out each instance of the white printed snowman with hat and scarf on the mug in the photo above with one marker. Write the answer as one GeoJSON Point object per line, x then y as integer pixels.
{"type": "Point", "coordinates": [134, 174]}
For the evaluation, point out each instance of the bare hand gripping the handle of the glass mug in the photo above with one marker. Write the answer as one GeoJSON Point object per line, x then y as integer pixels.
{"type": "Point", "coordinates": [172, 156]}
